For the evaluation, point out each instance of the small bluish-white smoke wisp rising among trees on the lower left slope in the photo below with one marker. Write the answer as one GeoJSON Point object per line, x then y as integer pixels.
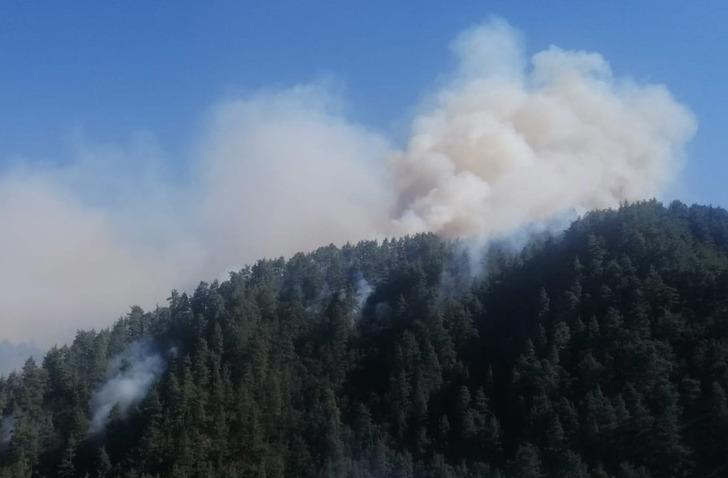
{"type": "Point", "coordinates": [129, 376]}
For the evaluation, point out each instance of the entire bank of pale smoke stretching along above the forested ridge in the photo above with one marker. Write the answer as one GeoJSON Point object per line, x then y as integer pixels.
{"type": "Point", "coordinates": [505, 142]}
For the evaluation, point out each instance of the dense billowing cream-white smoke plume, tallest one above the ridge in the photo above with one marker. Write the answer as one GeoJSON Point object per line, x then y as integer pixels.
{"type": "Point", "coordinates": [507, 143]}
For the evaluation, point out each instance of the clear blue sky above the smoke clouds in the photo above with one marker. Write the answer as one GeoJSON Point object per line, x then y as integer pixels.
{"type": "Point", "coordinates": [108, 70]}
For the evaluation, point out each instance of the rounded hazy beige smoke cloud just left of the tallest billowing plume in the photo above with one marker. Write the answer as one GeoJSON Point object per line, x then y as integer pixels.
{"type": "Point", "coordinates": [284, 171]}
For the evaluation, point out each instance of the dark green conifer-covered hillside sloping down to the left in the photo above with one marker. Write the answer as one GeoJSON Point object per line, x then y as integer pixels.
{"type": "Point", "coordinates": [600, 352]}
